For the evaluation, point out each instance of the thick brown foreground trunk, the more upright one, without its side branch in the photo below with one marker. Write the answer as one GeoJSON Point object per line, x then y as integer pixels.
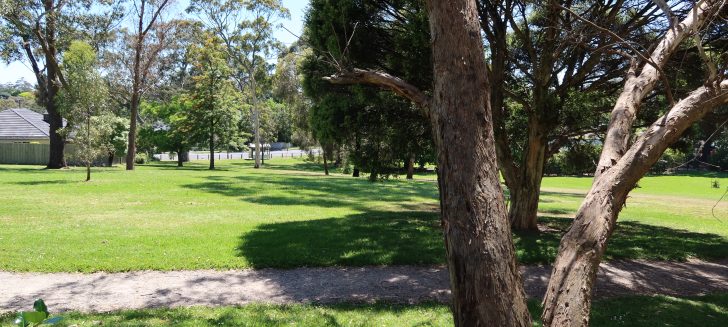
{"type": "Point", "coordinates": [484, 277]}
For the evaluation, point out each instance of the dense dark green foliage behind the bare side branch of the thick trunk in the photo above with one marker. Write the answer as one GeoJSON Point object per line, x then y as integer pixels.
{"type": "Point", "coordinates": [377, 130]}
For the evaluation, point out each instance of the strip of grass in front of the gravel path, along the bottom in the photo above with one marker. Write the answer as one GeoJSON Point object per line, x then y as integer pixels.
{"type": "Point", "coordinates": [706, 311]}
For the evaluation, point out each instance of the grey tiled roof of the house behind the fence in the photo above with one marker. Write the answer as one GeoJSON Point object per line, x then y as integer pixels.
{"type": "Point", "coordinates": [23, 124]}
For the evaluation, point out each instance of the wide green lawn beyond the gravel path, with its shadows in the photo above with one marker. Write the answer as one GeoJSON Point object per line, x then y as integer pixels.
{"type": "Point", "coordinates": [288, 215]}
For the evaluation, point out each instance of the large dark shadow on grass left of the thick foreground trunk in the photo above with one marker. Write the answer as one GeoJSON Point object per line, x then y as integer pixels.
{"type": "Point", "coordinates": [372, 238]}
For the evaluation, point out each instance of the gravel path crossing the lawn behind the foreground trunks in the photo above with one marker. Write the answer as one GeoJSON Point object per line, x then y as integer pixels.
{"type": "Point", "coordinates": [100, 292]}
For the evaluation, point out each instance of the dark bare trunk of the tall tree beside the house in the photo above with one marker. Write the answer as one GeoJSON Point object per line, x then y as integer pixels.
{"type": "Point", "coordinates": [55, 121]}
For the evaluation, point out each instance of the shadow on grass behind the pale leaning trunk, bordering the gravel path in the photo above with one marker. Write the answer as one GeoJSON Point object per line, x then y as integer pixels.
{"type": "Point", "coordinates": [631, 240]}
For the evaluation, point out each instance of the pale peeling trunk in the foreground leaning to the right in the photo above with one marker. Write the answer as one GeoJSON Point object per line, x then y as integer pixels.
{"type": "Point", "coordinates": [568, 296]}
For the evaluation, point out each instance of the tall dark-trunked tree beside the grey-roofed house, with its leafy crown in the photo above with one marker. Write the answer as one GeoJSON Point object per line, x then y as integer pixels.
{"type": "Point", "coordinates": [32, 29]}
